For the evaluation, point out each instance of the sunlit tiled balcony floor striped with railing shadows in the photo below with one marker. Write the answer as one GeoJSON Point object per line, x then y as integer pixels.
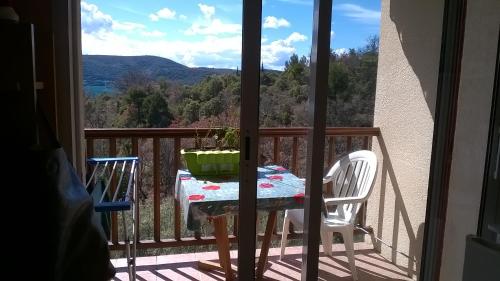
{"type": "Point", "coordinates": [371, 266]}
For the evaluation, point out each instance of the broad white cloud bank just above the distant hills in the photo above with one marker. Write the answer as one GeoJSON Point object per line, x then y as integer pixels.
{"type": "Point", "coordinates": [219, 45]}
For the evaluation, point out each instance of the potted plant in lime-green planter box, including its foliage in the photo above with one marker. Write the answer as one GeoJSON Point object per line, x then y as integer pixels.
{"type": "Point", "coordinates": [223, 159]}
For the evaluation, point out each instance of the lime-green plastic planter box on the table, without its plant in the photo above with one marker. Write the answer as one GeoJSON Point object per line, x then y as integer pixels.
{"type": "Point", "coordinates": [212, 162]}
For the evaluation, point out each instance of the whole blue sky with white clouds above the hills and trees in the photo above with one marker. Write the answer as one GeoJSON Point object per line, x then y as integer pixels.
{"type": "Point", "coordinates": [208, 33]}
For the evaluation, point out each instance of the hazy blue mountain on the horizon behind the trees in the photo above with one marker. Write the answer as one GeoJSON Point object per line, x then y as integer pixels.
{"type": "Point", "coordinates": [99, 71]}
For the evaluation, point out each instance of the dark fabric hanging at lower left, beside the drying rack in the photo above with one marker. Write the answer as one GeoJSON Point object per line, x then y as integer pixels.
{"type": "Point", "coordinates": [77, 243]}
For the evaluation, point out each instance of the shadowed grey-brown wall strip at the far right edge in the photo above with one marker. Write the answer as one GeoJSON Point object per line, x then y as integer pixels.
{"type": "Point", "coordinates": [471, 133]}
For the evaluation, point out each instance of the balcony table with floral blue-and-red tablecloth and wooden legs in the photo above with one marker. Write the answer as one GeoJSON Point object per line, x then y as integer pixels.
{"type": "Point", "coordinates": [205, 198]}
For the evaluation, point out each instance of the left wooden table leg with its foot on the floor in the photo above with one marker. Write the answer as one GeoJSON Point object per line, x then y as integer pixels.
{"type": "Point", "coordinates": [222, 239]}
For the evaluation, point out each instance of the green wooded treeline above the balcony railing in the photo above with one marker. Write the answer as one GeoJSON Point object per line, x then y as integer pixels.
{"type": "Point", "coordinates": [143, 101]}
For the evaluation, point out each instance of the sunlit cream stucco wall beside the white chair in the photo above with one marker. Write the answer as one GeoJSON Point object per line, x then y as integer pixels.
{"type": "Point", "coordinates": [410, 42]}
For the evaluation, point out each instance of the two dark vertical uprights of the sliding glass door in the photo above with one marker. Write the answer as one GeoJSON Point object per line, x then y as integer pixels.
{"type": "Point", "coordinates": [249, 136]}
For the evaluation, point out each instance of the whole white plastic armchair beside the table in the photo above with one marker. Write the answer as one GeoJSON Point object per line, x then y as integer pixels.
{"type": "Point", "coordinates": [353, 179]}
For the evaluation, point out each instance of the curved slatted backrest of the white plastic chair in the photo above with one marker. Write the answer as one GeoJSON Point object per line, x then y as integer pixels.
{"type": "Point", "coordinates": [353, 176]}
